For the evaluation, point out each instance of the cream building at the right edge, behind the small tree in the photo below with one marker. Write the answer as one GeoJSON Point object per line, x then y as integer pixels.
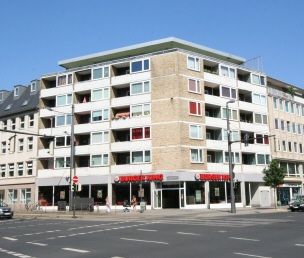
{"type": "Point", "coordinates": [286, 121]}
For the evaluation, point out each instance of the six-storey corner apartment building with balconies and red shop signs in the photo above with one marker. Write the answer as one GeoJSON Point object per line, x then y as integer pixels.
{"type": "Point", "coordinates": [154, 114]}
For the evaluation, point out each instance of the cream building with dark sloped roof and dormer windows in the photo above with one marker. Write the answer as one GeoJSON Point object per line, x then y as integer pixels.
{"type": "Point", "coordinates": [18, 154]}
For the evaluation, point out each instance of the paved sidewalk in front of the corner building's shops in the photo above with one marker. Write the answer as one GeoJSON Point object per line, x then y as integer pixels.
{"type": "Point", "coordinates": [147, 215]}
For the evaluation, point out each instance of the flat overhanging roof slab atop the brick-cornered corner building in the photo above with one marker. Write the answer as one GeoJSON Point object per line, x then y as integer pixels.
{"type": "Point", "coordinates": [148, 47]}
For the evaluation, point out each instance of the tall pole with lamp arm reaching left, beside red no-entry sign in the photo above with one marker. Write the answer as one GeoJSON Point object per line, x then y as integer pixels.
{"type": "Point", "coordinates": [72, 158]}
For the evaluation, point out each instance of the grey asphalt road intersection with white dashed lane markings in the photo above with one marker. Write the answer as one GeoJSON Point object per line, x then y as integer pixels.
{"type": "Point", "coordinates": [272, 235]}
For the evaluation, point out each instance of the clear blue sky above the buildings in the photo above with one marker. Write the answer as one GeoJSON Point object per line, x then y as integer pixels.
{"type": "Point", "coordinates": [36, 34]}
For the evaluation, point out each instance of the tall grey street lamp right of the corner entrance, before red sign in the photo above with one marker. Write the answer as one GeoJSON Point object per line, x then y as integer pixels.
{"type": "Point", "coordinates": [233, 209]}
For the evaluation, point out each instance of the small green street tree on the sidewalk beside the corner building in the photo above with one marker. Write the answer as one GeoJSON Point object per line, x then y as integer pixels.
{"type": "Point", "coordinates": [274, 176]}
